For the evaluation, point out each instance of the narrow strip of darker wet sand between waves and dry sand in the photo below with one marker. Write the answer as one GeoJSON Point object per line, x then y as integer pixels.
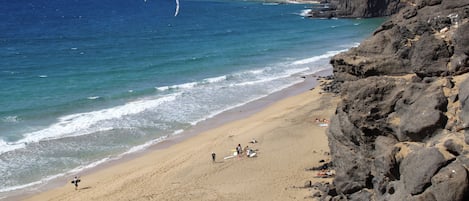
{"type": "Point", "coordinates": [224, 118]}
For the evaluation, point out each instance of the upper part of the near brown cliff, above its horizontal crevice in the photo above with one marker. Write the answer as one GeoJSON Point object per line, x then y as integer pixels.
{"type": "Point", "coordinates": [418, 40]}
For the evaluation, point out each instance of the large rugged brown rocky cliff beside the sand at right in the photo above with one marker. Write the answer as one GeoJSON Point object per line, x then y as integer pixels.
{"type": "Point", "coordinates": [401, 130]}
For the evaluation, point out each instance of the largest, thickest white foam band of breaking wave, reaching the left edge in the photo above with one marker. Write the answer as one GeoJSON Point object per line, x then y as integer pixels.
{"type": "Point", "coordinates": [84, 123]}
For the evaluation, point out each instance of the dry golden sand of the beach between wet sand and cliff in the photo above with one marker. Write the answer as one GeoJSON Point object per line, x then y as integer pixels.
{"type": "Point", "coordinates": [289, 140]}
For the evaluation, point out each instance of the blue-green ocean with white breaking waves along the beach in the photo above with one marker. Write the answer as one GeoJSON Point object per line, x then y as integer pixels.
{"type": "Point", "coordinates": [84, 82]}
